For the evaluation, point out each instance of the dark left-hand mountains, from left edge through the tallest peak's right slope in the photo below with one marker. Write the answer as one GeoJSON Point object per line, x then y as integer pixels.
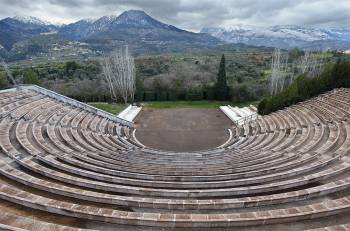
{"type": "Point", "coordinates": [135, 28]}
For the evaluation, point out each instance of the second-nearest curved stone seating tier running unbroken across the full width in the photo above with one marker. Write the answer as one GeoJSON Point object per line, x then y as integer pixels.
{"type": "Point", "coordinates": [178, 204]}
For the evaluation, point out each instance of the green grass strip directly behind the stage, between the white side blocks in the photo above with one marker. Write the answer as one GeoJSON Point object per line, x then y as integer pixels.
{"type": "Point", "coordinates": [194, 104]}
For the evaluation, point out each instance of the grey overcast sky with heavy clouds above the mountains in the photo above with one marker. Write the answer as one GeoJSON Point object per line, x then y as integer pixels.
{"type": "Point", "coordinates": [191, 14]}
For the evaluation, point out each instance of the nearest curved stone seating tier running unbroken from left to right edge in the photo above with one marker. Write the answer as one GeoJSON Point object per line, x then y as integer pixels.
{"type": "Point", "coordinates": [171, 220]}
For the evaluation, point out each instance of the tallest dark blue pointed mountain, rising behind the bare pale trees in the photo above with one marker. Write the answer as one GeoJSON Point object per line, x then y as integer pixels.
{"type": "Point", "coordinates": [137, 29]}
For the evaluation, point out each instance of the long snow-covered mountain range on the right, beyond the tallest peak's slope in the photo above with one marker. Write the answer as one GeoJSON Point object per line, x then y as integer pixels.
{"type": "Point", "coordinates": [288, 36]}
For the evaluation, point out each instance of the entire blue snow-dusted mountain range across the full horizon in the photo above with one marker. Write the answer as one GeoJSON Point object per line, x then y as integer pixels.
{"type": "Point", "coordinates": [147, 35]}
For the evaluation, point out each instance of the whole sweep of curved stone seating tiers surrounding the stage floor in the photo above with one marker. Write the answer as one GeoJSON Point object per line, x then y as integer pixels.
{"type": "Point", "coordinates": [67, 166]}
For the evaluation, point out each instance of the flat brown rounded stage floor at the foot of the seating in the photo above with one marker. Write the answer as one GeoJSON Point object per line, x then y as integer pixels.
{"type": "Point", "coordinates": [182, 129]}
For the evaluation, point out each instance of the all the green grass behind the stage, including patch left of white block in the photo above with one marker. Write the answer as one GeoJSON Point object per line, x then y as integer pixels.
{"type": "Point", "coordinates": [116, 108]}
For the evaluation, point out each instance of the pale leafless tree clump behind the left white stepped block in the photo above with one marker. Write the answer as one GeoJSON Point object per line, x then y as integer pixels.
{"type": "Point", "coordinates": [119, 71]}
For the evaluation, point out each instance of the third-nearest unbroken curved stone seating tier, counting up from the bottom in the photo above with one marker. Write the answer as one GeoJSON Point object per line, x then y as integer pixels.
{"type": "Point", "coordinates": [109, 187]}
